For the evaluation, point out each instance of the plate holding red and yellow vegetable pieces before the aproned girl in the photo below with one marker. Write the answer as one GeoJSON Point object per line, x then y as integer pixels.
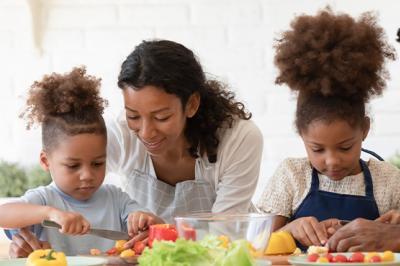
{"type": "Point", "coordinates": [302, 260]}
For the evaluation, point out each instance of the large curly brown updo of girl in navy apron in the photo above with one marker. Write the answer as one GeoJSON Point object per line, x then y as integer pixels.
{"type": "Point", "coordinates": [335, 62]}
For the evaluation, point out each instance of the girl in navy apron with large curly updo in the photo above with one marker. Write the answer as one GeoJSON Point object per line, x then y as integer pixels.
{"type": "Point", "coordinates": [336, 64]}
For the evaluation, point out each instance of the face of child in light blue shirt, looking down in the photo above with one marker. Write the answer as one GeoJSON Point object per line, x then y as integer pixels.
{"type": "Point", "coordinates": [77, 164]}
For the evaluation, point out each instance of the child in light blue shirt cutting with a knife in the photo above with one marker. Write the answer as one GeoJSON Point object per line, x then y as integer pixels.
{"type": "Point", "coordinates": [74, 138]}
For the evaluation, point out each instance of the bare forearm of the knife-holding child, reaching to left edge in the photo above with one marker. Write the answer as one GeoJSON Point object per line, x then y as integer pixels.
{"type": "Point", "coordinates": [18, 215]}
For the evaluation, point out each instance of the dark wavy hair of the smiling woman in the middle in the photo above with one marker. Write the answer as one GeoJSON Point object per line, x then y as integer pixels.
{"type": "Point", "coordinates": [175, 69]}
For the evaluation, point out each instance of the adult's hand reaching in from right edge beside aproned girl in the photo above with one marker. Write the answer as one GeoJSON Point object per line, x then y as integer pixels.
{"type": "Point", "coordinates": [365, 235]}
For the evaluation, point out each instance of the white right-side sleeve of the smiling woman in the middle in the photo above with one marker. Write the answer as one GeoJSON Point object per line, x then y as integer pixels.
{"type": "Point", "coordinates": [239, 166]}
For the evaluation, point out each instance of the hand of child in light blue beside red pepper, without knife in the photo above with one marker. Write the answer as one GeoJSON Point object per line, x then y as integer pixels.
{"type": "Point", "coordinates": [140, 221]}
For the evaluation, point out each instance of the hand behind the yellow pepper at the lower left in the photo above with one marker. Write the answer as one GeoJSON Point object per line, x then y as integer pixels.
{"type": "Point", "coordinates": [24, 242]}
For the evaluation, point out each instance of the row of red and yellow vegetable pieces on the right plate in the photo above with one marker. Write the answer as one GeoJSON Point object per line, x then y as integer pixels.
{"type": "Point", "coordinates": [356, 257]}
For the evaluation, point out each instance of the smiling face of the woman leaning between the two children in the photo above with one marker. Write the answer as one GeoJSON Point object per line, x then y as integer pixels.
{"type": "Point", "coordinates": [158, 118]}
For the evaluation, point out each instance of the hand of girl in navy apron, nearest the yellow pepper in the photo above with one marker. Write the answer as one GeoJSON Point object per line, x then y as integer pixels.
{"type": "Point", "coordinates": [308, 231]}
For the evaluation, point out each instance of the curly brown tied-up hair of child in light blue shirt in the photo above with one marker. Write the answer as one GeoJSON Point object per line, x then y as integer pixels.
{"type": "Point", "coordinates": [65, 104]}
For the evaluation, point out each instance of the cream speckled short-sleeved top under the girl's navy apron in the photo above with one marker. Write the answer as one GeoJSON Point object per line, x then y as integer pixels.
{"type": "Point", "coordinates": [291, 182]}
